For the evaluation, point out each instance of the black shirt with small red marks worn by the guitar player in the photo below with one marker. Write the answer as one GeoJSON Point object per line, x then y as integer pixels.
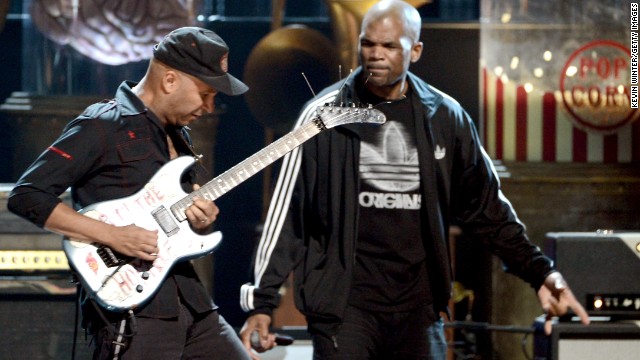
{"type": "Point", "coordinates": [108, 152]}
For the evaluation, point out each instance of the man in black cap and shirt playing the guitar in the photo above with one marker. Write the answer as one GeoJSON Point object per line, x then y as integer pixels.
{"type": "Point", "coordinates": [109, 152]}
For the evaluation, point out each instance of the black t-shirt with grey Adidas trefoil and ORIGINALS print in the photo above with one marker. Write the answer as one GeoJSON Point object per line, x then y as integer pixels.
{"type": "Point", "coordinates": [390, 272]}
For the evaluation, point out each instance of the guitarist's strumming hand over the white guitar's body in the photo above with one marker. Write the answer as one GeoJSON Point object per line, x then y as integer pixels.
{"type": "Point", "coordinates": [132, 240]}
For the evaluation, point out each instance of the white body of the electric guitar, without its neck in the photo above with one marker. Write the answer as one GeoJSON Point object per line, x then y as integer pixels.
{"type": "Point", "coordinates": [119, 286]}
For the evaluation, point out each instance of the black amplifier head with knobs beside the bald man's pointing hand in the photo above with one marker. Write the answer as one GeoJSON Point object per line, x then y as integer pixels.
{"type": "Point", "coordinates": [602, 269]}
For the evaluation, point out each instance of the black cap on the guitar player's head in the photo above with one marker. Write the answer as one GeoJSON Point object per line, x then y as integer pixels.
{"type": "Point", "coordinates": [201, 53]}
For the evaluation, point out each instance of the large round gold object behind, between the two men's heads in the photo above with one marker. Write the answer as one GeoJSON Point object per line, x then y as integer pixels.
{"type": "Point", "coordinates": [274, 73]}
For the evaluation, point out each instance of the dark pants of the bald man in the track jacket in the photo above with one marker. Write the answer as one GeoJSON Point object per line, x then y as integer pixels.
{"type": "Point", "coordinates": [371, 335]}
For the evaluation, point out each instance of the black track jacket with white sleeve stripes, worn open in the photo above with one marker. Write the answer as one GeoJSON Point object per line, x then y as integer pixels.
{"type": "Point", "coordinates": [311, 226]}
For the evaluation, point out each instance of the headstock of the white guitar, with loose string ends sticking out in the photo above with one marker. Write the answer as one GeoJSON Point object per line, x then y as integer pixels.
{"type": "Point", "coordinates": [332, 116]}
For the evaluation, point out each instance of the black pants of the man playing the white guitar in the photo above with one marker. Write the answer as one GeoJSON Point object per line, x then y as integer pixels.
{"type": "Point", "coordinates": [204, 336]}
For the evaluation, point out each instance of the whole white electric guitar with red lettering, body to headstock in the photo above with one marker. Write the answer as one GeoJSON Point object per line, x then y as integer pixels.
{"type": "Point", "coordinates": [120, 283]}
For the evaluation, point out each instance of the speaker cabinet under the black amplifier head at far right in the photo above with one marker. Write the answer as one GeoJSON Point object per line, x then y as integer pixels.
{"type": "Point", "coordinates": [600, 340]}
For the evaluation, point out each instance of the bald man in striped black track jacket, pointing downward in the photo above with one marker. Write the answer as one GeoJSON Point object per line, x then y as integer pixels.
{"type": "Point", "coordinates": [361, 214]}
